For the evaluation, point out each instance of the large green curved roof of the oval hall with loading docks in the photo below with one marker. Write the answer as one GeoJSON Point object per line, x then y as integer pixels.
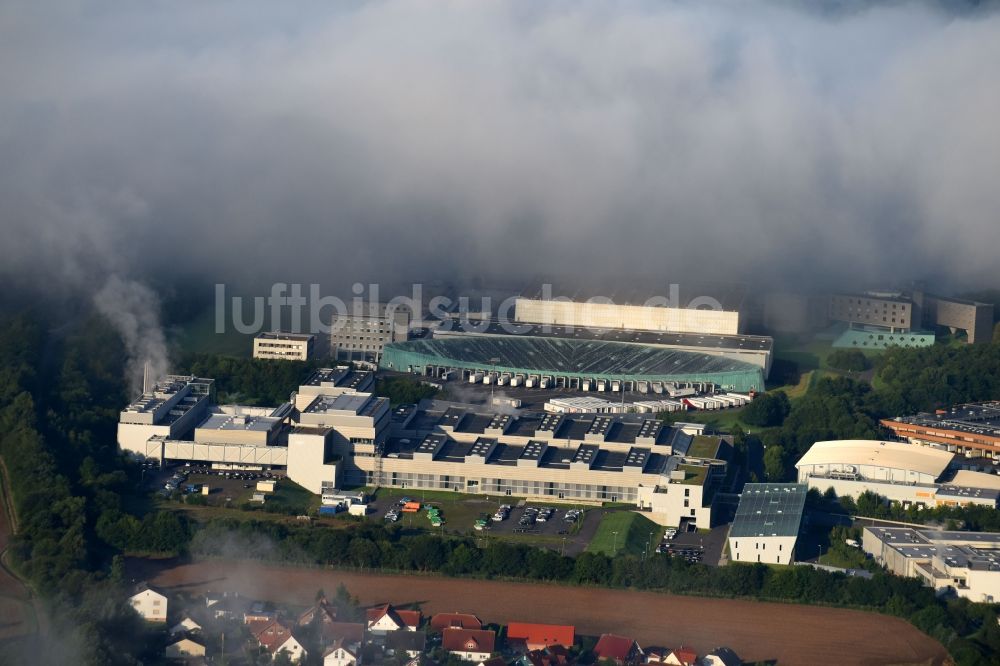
{"type": "Point", "coordinates": [562, 356]}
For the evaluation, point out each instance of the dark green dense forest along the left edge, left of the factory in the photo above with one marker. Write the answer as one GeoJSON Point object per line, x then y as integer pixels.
{"type": "Point", "coordinates": [58, 402]}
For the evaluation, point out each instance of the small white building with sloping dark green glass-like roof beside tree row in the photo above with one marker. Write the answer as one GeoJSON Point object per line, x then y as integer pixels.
{"type": "Point", "coordinates": [767, 522]}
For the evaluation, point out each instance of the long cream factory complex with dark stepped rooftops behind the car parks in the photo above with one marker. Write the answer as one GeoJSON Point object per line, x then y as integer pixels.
{"type": "Point", "coordinates": [334, 432]}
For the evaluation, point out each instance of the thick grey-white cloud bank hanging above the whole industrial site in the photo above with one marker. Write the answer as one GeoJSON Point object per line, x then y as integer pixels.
{"type": "Point", "coordinates": [362, 141]}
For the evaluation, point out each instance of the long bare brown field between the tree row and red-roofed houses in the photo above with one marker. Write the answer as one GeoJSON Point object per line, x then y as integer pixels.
{"type": "Point", "coordinates": [790, 634]}
